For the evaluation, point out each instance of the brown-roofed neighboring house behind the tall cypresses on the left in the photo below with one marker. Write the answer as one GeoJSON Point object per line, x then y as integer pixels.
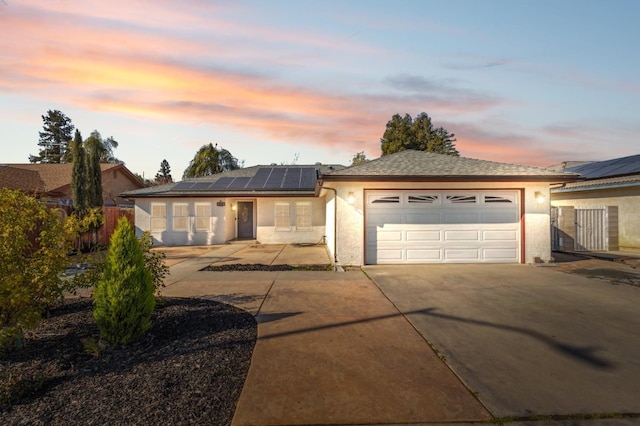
{"type": "Point", "coordinates": [53, 181]}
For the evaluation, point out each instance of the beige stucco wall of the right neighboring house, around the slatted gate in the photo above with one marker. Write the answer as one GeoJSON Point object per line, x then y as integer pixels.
{"type": "Point", "coordinates": [628, 202]}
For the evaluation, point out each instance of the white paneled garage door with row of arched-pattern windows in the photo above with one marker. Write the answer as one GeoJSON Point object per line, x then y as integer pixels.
{"type": "Point", "coordinates": [442, 227]}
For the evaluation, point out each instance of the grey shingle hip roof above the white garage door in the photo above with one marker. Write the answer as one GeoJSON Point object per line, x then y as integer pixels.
{"type": "Point", "coordinates": [427, 164]}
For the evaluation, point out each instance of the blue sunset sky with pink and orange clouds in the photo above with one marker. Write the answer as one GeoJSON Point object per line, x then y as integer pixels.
{"type": "Point", "coordinates": [532, 82]}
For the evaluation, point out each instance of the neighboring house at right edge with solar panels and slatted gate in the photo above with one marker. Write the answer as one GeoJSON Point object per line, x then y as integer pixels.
{"type": "Point", "coordinates": [601, 210]}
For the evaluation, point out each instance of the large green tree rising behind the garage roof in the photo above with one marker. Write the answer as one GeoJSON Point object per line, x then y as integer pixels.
{"type": "Point", "coordinates": [404, 133]}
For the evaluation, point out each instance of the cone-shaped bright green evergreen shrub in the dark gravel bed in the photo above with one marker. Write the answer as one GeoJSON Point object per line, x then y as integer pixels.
{"type": "Point", "coordinates": [123, 298]}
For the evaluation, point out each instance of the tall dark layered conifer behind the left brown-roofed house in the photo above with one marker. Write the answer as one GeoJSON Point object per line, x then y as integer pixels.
{"type": "Point", "coordinates": [54, 139]}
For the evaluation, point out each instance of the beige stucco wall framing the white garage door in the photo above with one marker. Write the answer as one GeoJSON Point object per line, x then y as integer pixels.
{"type": "Point", "coordinates": [350, 218]}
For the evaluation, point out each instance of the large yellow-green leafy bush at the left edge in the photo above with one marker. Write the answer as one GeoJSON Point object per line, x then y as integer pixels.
{"type": "Point", "coordinates": [34, 243]}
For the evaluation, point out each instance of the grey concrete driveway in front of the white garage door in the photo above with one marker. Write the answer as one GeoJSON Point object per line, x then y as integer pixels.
{"type": "Point", "coordinates": [527, 340]}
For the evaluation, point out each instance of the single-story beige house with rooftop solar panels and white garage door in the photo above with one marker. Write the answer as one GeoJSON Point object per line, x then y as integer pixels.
{"type": "Point", "coordinates": [408, 207]}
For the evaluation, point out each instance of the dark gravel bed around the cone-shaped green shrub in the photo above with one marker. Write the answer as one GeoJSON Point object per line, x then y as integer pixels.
{"type": "Point", "coordinates": [188, 369]}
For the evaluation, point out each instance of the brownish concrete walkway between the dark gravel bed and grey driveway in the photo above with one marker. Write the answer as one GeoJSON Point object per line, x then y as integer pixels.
{"type": "Point", "coordinates": [331, 349]}
